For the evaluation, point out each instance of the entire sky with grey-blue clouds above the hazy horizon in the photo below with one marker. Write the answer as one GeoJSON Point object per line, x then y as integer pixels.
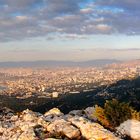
{"type": "Point", "coordinates": [74, 30]}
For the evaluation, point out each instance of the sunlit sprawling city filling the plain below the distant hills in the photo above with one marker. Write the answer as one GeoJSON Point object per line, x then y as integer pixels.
{"type": "Point", "coordinates": [52, 82]}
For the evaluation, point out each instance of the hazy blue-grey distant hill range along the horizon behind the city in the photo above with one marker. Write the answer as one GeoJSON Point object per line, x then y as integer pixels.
{"type": "Point", "coordinates": [52, 63]}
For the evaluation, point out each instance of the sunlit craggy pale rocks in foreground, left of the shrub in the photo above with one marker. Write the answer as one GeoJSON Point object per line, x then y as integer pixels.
{"type": "Point", "coordinates": [29, 125]}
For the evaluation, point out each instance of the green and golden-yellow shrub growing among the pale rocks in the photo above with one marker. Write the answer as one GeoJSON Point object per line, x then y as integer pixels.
{"type": "Point", "coordinates": [114, 113]}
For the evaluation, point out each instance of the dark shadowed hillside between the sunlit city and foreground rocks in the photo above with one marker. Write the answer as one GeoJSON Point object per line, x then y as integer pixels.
{"type": "Point", "coordinates": [123, 90]}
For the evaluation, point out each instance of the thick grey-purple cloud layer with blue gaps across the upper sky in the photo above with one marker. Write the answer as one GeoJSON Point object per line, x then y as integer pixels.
{"type": "Point", "coordinates": [24, 19]}
